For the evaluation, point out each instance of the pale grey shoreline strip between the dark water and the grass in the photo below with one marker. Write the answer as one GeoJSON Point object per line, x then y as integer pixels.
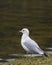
{"type": "Point", "coordinates": [12, 57]}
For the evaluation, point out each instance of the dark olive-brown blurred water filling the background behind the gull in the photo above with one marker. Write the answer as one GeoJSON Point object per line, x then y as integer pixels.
{"type": "Point", "coordinates": [36, 15]}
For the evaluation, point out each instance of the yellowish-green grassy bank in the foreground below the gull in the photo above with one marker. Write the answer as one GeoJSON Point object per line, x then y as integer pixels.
{"type": "Point", "coordinates": [31, 61]}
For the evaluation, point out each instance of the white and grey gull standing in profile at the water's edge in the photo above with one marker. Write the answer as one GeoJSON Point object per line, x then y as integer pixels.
{"type": "Point", "coordinates": [29, 45]}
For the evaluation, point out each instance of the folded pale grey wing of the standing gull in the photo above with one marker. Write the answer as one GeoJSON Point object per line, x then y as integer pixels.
{"type": "Point", "coordinates": [33, 47]}
